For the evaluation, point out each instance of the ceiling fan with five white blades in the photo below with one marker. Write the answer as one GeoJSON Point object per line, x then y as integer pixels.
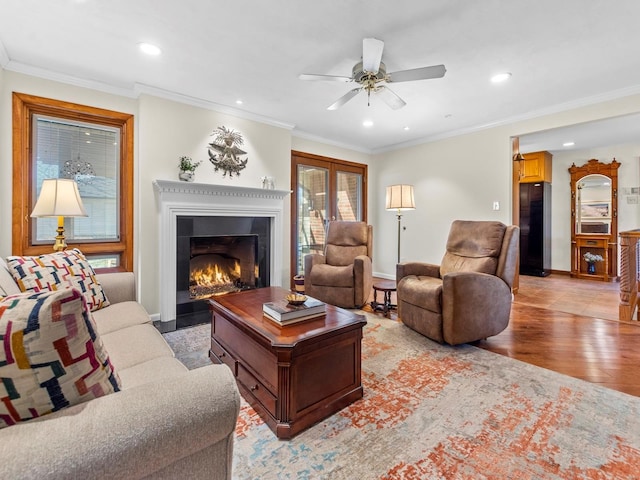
{"type": "Point", "coordinates": [372, 76]}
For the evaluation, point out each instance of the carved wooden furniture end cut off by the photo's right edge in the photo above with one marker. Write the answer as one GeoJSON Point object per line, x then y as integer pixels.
{"type": "Point", "coordinates": [629, 269]}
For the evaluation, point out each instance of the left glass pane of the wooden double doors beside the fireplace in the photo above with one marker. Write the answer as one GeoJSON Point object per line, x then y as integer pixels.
{"type": "Point", "coordinates": [312, 211]}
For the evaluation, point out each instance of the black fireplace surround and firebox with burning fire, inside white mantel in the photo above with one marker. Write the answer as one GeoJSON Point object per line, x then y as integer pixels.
{"type": "Point", "coordinates": [216, 256]}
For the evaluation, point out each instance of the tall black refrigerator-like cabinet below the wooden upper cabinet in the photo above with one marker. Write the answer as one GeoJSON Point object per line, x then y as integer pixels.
{"type": "Point", "coordinates": [535, 229]}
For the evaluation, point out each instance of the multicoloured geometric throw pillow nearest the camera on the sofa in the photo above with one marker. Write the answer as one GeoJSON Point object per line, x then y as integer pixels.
{"type": "Point", "coordinates": [51, 356]}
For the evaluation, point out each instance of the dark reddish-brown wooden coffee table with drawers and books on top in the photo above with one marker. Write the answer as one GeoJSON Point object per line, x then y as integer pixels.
{"type": "Point", "coordinates": [293, 376]}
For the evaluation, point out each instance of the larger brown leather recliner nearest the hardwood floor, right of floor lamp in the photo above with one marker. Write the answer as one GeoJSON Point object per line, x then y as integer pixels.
{"type": "Point", "coordinates": [468, 297]}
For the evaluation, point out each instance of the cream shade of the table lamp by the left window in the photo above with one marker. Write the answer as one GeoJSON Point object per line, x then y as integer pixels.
{"type": "Point", "coordinates": [59, 197]}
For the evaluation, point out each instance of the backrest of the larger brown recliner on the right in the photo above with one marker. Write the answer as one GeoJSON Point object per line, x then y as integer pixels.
{"type": "Point", "coordinates": [473, 246]}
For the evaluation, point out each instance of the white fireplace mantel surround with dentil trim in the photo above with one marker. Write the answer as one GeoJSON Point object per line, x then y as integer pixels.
{"type": "Point", "coordinates": [177, 199]}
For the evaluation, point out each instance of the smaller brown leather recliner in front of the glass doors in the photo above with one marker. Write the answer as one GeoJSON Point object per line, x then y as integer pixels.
{"type": "Point", "coordinates": [343, 276]}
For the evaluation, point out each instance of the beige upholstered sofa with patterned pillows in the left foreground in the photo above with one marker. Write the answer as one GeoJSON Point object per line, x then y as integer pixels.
{"type": "Point", "coordinates": [166, 422]}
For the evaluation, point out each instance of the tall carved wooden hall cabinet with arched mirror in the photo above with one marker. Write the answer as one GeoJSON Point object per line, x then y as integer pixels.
{"type": "Point", "coordinates": [594, 219]}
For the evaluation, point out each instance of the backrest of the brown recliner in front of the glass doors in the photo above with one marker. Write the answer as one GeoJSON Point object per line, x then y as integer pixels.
{"type": "Point", "coordinates": [347, 240]}
